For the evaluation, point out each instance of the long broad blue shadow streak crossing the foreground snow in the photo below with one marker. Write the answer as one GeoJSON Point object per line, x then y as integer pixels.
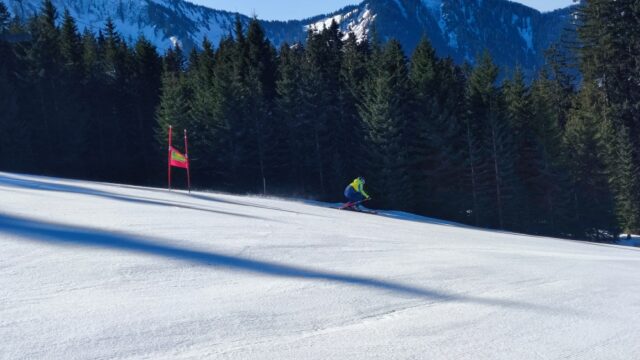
{"type": "Point", "coordinates": [57, 234]}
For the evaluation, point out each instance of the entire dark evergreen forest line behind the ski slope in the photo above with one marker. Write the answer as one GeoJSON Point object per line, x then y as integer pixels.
{"type": "Point", "coordinates": [554, 155]}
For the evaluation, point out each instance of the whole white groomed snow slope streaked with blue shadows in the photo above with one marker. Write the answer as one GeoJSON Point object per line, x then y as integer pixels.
{"type": "Point", "coordinates": [99, 271]}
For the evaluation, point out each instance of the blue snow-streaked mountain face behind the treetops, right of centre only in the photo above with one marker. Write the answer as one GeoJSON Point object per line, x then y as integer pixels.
{"type": "Point", "coordinates": [513, 33]}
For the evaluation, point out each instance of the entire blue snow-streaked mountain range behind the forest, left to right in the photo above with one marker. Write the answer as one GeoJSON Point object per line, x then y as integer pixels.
{"type": "Point", "coordinates": [513, 33]}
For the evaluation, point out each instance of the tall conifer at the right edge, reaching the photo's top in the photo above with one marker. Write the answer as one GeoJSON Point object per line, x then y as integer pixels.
{"type": "Point", "coordinates": [609, 30]}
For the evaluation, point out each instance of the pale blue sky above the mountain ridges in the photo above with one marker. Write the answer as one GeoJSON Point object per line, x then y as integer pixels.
{"type": "Point", "coordinates": [299, 9]}
